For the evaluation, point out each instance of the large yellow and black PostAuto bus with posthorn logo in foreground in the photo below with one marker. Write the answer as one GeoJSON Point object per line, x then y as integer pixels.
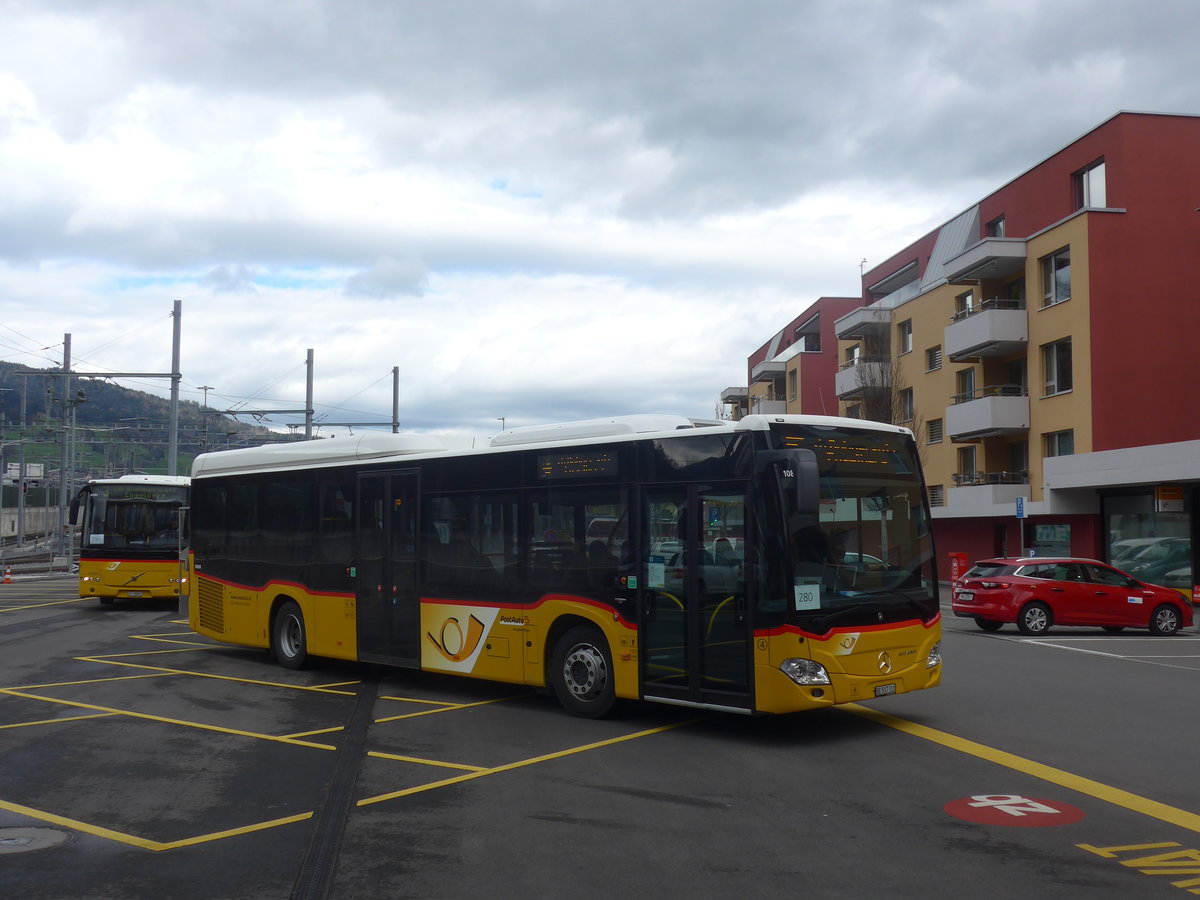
{"type": "Point", "coordinates": [767, 566]}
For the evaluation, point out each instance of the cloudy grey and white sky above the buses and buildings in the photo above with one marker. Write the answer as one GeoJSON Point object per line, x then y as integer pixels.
{"type": "Point", "coordinates": [537, 209]}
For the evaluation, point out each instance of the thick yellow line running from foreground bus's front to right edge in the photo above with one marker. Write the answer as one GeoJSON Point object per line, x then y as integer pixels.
{"type": "Point", "coordinates": [1115, 796]}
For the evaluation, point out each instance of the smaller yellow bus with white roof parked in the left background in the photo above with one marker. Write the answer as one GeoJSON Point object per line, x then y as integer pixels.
{"type": "Point", "coordinates": [133, 537]}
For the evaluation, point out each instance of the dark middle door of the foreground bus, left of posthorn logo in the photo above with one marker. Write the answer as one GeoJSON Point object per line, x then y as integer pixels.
{"type": "Point", "coordinates": [386, 568]}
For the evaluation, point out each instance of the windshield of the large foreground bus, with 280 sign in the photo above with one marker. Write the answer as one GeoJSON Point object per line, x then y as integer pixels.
{"type": "Point", "coordinates": [867, 556]}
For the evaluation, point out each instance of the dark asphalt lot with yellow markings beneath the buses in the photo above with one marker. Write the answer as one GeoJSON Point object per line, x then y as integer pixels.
{"type": "Point", "coordinates": [140, 760]}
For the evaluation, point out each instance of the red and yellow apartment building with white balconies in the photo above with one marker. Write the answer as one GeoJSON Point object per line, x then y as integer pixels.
{"type": "Point", "coordinates": [1043, 347]}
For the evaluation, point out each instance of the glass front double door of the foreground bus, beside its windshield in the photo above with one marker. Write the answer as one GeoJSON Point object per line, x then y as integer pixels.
{"type": "Point", "coordinates": [694, 639]}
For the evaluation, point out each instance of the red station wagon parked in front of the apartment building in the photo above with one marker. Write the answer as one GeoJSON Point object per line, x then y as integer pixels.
{"type": "Point", "coordinates": [1040, 592]}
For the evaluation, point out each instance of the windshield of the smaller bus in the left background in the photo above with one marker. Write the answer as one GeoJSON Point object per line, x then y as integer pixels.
{"type": "Point", "coordinates": [139, 518]}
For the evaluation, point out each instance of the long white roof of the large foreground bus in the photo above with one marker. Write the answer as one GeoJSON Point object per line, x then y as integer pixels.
{"type": "Point", "coordinates": [375, 447]}
